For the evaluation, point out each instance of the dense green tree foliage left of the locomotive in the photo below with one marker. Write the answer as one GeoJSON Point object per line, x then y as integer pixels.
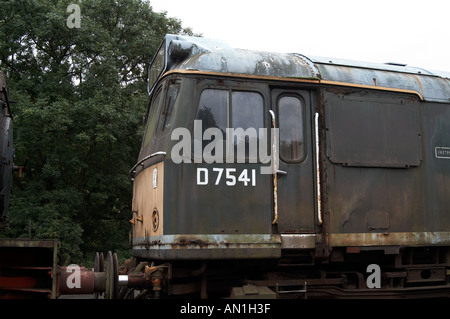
{"type": "Point", "coordinates": [80, 95]}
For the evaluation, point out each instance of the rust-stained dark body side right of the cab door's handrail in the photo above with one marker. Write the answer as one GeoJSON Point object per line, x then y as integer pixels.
{"type": "Point", "coordinates": [377, 197]}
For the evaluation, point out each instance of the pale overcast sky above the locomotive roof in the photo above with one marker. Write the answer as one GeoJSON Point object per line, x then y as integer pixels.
{"type": "Point", "coordinates": [412, 32]}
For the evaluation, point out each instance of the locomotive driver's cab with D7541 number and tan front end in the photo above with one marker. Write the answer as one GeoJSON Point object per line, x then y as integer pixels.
{"type": "Point", "coordinates": [216, 169]}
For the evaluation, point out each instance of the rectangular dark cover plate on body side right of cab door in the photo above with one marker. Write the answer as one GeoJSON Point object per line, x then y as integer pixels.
{"type": "Point", "coordinates": [373, 129]}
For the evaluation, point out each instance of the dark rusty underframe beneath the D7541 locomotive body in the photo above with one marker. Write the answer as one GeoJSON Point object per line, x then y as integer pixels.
{"type": "Point", "coordinates": [407, 272]}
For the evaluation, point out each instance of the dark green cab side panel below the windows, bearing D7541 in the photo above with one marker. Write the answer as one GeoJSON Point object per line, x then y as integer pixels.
{"type": "Point", "coordinates": [216, 209]}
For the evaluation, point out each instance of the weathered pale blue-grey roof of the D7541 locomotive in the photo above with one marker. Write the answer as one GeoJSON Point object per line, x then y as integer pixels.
{"type": "Point", "coordinates": [205, 55]}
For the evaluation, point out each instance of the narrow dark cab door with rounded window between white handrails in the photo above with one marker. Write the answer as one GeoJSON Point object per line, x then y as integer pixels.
{"type": "Point", "coordinates": [295, 177]}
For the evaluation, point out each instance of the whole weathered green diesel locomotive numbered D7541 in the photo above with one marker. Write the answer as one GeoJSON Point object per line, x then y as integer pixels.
{"type": "Point", "coordinates": [360, 177]}
